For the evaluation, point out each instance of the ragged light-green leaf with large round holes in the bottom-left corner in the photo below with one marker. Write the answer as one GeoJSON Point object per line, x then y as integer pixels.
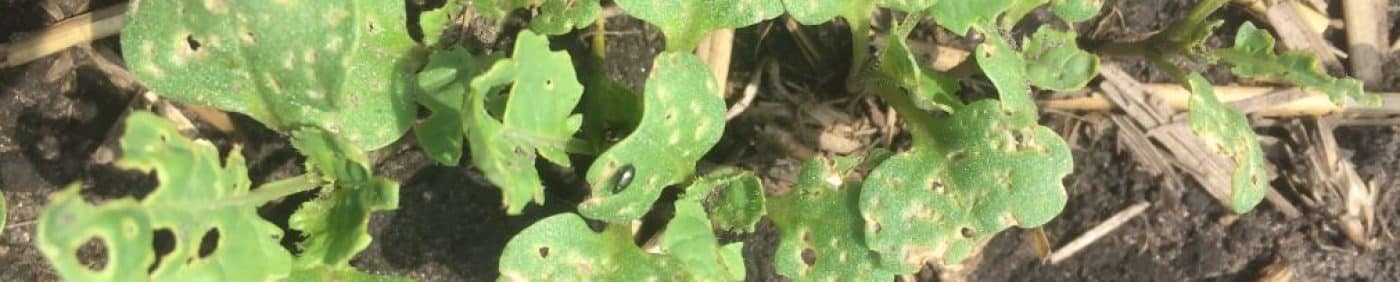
{"type": "Point", "coordinates": [198, 194]}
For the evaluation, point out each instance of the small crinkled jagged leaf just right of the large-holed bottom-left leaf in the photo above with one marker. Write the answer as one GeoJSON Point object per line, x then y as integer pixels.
{"type": "Point", "coordinates": [334, 224]}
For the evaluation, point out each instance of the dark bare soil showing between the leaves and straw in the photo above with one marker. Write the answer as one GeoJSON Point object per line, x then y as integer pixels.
{"type": "Point", "coordinates": [59, 112]}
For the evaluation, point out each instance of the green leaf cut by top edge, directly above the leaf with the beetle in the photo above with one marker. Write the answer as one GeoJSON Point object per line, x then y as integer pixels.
{"type": "Point", "coordinates": [687, 22]}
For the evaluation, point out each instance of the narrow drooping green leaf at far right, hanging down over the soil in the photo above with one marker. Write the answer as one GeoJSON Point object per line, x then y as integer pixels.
{"type": "Point", "coordinates": [1228, 133]}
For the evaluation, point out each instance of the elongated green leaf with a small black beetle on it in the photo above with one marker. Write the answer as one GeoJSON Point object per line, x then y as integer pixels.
{"type": "Point", "coordinates": [682, 119]}
